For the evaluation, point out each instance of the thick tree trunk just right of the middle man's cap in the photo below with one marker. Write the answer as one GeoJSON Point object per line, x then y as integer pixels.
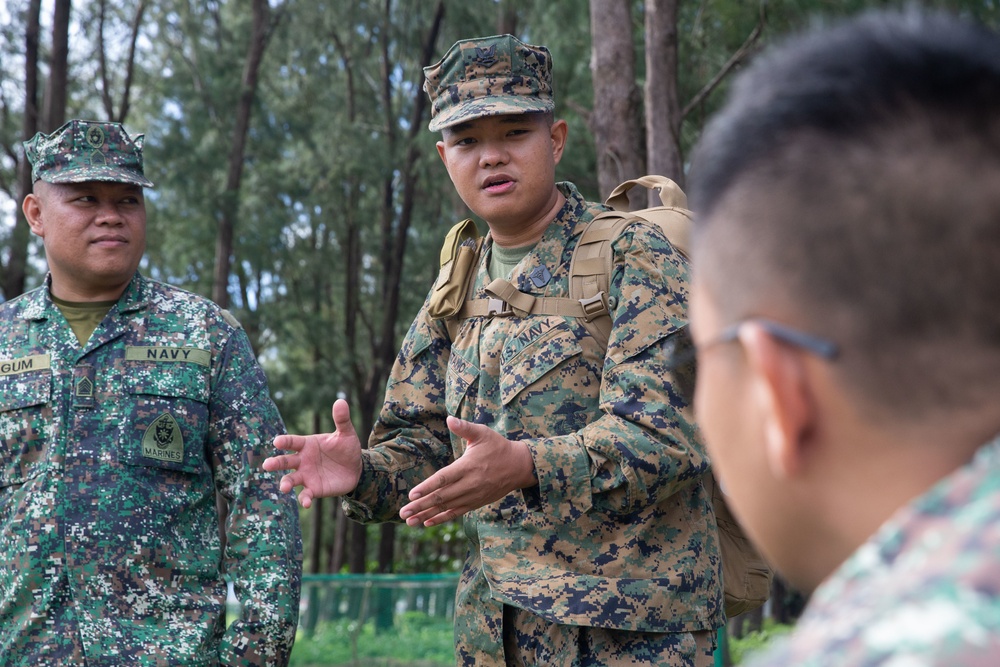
{"type": "Point", "coordinates": [616, 121]}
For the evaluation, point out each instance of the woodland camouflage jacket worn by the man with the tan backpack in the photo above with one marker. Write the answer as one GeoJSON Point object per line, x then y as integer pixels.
{"type": "Point", "coordinates": [619, 533]}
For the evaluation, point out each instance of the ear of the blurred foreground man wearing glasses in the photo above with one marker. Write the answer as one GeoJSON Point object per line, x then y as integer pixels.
{"type": "Point", "coordinates": [780, 387]}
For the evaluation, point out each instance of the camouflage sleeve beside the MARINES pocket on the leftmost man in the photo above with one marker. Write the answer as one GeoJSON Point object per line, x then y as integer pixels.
{"type": "Point", "coordinates": [263, 554]}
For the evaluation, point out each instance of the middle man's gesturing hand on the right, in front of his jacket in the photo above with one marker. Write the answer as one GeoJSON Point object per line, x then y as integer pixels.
{"type": "Point", "coordinates": [491, 467]}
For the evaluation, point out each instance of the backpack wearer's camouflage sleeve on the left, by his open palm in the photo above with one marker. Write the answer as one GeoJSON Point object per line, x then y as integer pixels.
{"type": "Point", "coordinates": [410, 440]}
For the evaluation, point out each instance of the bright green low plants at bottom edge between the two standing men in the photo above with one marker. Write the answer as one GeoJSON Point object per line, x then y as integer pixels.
{"type": "Point", "coordinates": [415, 639]}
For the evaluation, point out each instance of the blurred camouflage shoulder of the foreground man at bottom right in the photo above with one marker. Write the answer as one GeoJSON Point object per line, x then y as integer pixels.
{"type": "Point", "coordinates": [924, 591]}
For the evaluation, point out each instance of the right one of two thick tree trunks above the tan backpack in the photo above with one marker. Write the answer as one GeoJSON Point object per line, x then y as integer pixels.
{"type": "Point", "coordinates": [663, 113]}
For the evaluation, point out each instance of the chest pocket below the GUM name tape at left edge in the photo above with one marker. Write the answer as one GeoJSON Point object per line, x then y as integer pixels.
{"type": "Point", "coordinates": [25, 425]}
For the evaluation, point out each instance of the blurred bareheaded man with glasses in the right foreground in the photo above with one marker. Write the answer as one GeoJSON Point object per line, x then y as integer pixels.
{"type": "Point", "coordinates": [846, 310]}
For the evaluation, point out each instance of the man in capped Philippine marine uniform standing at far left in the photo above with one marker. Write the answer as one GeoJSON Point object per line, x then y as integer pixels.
{"type": "Point", "coordinates": [126, 405]}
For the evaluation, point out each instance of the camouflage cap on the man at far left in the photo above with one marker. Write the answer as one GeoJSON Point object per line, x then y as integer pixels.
{"type": "Point", "coordinates": [87, 150]}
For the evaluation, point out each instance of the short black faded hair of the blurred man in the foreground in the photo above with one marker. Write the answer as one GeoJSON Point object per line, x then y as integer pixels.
{"type": "Point", "coordinates": [854, 179]}
